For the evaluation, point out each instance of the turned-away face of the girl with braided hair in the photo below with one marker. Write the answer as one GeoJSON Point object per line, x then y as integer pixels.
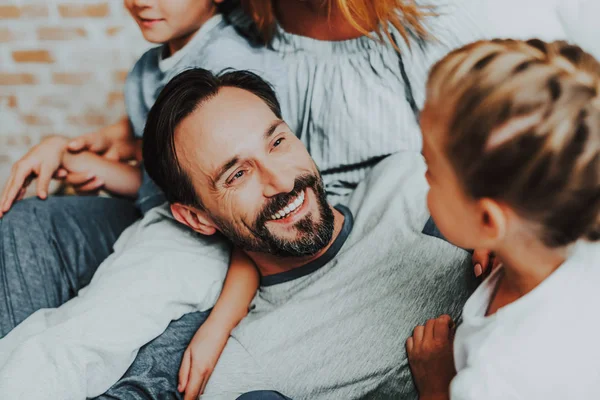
{"type": "Point", "coordinates": [458, 217]}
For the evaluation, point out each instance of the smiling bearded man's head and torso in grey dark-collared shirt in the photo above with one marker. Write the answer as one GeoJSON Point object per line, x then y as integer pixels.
{"type": "Point", "coordinates": [341, 287]}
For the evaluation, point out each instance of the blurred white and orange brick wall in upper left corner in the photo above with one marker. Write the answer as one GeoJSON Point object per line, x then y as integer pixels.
{"type": "Point", "coordinates": [62, 68]}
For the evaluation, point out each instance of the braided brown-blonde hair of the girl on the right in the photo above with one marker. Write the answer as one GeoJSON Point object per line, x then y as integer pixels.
{"type": "Point", "coordinates": [523, 127]}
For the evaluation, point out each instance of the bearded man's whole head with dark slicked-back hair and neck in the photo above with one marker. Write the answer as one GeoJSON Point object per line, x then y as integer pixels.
{"type": "Point", "coordinates": [263, 192]}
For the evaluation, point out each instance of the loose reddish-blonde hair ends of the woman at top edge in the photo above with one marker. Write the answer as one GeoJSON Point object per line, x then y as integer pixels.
{"type": "Point", "coordinates": [366, 16]}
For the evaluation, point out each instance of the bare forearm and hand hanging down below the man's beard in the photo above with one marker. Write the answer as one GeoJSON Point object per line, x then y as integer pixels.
{"type": "Point", "coordinates": [205, 348]}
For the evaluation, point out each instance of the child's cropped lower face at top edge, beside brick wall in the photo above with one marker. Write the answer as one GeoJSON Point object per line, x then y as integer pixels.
{"type": "Point", "coordinates": [164, 21]}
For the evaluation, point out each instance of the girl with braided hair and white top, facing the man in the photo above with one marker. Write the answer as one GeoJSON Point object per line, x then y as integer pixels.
{"type": "Point", "coordinates": [512, 144]}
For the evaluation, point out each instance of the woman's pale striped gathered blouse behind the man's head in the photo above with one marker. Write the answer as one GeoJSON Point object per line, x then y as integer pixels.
{"type": "Point", "coordinates": [350, 101]}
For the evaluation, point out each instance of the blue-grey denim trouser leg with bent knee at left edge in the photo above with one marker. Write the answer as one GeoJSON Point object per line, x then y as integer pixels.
{"type": "Point", "coordinates": [50, 249]}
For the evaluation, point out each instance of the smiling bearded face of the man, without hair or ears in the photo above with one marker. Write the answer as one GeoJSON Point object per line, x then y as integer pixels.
{"type": "Point", "coordinates": [257, 182]}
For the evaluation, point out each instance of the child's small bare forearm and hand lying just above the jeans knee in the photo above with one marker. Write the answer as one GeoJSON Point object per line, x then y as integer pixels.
{"type": "Point", "coordinates": [116, 177]}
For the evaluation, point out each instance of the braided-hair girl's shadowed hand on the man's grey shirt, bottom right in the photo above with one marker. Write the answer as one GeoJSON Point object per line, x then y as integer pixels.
{"type": "Point", "coordinates": [430, 358]}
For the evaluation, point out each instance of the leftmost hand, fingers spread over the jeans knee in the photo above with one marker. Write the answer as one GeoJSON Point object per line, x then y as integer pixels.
{"type": "Point", "coordinates": [42, 161]}
